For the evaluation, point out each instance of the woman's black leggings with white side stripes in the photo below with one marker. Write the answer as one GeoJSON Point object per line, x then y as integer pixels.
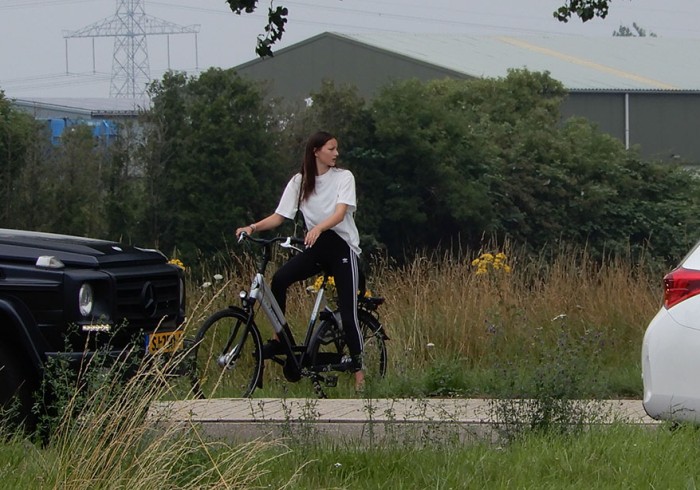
{"type": "Point", "coordinates": [332, 254]}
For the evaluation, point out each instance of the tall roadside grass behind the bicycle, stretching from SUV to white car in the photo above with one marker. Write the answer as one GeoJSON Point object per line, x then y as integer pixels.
{"type": "Point", "coordinates": [441, 314]}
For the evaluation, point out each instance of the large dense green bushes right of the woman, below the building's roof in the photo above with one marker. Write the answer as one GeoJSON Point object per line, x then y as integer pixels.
{"type": "Point", "coordinates": [449, 161]}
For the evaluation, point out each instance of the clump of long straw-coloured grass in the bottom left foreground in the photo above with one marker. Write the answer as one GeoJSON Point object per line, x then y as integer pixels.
{"type": "Point", "coordinates": [104, 436]}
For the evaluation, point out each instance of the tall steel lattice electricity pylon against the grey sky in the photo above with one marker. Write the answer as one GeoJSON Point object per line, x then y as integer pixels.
{"type": "Point", "coordinates": [129, 28]}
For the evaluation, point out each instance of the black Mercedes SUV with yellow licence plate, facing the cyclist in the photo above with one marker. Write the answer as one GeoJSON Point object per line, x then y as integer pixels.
{"type": "Point", "coordinates": [71, 296]}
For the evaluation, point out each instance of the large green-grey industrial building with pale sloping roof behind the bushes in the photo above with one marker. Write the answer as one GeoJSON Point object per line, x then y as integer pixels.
{"type": "Point", "coordinates": [644, 91]}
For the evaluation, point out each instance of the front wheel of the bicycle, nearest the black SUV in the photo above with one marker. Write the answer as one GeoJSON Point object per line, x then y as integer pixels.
{"type": "Point", "coordinates": [228, 356]}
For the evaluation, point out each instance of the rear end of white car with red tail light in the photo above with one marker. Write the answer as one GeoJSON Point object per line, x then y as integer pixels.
{"type": "Point", "coordinates": [671, 347]}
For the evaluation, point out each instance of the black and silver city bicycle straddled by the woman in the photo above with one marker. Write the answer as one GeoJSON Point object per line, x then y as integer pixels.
{"type": "Point", "coordinates": [228, 348]}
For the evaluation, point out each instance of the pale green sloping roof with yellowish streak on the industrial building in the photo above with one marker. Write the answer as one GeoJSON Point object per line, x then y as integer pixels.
{"type": "Point", "coordinates": [580, 63]}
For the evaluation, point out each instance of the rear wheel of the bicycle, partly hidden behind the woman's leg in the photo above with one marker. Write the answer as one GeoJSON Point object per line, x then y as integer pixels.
{"type": "Point", "coordinates": [330, 345]}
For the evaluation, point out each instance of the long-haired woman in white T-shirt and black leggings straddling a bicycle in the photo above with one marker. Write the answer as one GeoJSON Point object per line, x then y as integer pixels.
{"type": "Point", "coordinates": [325, 195]}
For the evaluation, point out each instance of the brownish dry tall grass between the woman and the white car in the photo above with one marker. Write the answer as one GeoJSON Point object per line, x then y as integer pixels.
{"type": "Point", "coordinates": [498, 315]}
